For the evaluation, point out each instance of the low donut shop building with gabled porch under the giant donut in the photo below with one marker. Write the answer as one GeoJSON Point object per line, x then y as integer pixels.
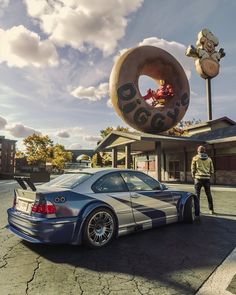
{"type": "Point", "coordinates": [168, 158]}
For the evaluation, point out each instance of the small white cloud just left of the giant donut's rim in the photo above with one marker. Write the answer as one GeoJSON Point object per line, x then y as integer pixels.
{"type": "Point", "coordinates": [91, 93]}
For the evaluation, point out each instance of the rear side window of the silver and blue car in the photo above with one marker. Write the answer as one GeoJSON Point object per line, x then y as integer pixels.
{"type": "Point", "coordinates": [112, 182]}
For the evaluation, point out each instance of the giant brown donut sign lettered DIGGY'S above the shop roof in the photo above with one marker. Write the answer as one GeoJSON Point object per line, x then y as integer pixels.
{"type": "Point", "coordinates": [127, 99]}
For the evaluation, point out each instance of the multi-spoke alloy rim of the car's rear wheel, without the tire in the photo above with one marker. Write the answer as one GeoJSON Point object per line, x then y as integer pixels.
{"type": "Point", "coordinates": [100, 228]}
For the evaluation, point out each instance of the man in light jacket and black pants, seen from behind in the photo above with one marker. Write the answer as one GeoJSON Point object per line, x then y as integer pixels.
{"type": "Point", "coordinates": [202, 169]}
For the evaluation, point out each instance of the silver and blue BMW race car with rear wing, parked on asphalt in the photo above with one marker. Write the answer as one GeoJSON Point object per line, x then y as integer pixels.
{"type": "Point", "coordinates": [94, 206]}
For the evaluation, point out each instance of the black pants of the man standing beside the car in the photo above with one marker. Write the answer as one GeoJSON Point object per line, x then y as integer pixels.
{"type": "Point", "coordinates": [198, 184]}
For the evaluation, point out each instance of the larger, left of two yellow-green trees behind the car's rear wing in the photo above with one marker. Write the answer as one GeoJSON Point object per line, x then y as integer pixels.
{"type": "Point", "coordinates": [38, 148]}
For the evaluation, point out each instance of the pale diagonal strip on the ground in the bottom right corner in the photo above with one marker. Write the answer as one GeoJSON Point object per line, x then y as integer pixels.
{"type": "Point", "coordinates": [220, 279]}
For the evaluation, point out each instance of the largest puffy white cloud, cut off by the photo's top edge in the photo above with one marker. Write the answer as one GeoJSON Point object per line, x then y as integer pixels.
{"type": "Point", "coordinates": [83, 24]}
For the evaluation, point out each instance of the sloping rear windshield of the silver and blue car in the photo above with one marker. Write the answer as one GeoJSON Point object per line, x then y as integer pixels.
{"type": "Point", "coordinates": [69, 180]}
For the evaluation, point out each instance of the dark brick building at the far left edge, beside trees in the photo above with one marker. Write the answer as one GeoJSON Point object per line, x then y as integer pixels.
{"type": "Point", "coordinates": [7, 157]}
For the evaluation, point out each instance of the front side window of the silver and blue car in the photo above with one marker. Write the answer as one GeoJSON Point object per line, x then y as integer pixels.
{"type": "Point", "coordinates": [137, 181]}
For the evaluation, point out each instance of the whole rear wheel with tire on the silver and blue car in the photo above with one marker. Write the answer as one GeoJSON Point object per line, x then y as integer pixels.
{"type": "Point", "coordinates": [99, 228]}
